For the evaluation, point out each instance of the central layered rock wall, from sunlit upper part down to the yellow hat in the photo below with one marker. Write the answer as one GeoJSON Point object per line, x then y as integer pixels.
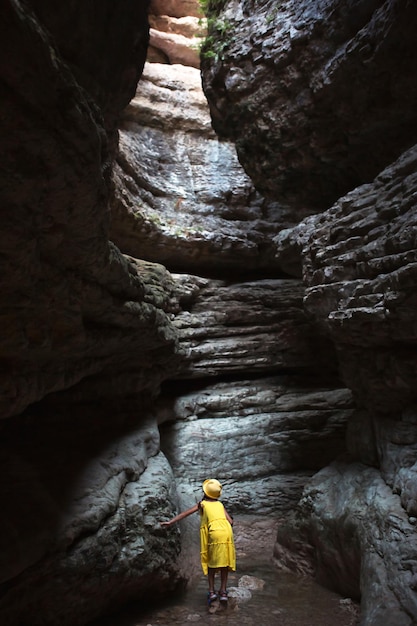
{"type": "Point", "coordinates": [183, 198]}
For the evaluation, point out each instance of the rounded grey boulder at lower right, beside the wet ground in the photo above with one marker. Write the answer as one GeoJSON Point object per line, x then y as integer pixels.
{"type": "Point", "coordinates": [351, 517]}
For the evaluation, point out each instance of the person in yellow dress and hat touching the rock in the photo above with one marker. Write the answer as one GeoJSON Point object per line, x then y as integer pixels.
{"type": "Point", "coordinates": [216, 537]}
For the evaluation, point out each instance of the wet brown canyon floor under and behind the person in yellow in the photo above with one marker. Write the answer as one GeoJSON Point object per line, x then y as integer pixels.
{"type": "Point", "coordinates": [280, 599]}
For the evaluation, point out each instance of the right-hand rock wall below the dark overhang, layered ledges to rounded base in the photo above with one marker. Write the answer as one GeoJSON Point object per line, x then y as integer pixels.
{"type": "Point", "coordinates": [359, 280]}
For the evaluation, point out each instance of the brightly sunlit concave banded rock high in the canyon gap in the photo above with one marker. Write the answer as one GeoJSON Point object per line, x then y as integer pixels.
{"type": "Point", "coordinates": [182, 197]}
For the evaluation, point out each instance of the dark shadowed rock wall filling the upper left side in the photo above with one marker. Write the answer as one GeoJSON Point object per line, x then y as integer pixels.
{"type": "Point", "coordinates": [68, 292]}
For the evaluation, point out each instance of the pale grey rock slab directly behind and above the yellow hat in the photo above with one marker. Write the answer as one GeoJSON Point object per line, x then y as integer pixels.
{"type": "Point", "coordinates": [262, 438]}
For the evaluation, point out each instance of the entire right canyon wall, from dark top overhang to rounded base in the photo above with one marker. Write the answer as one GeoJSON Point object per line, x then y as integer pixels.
{"type": "Point", "coordinates": [310, 93]}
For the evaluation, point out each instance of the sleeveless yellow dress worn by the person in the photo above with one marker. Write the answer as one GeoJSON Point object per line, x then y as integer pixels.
{"type": "Point", "coordinates": [216, 537]}
